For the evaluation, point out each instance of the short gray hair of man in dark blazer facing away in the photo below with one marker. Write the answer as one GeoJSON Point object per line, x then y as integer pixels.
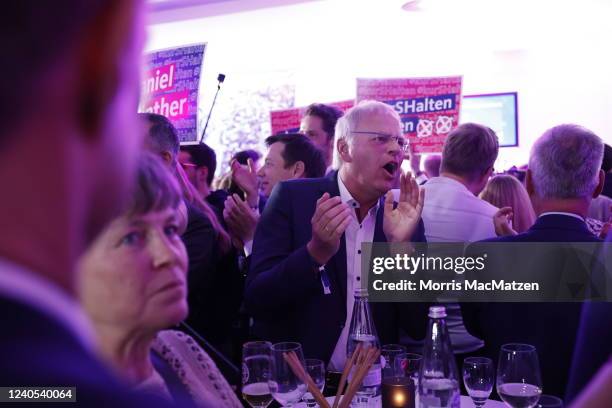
{"type": "Point", "coordinates": [565, 162]}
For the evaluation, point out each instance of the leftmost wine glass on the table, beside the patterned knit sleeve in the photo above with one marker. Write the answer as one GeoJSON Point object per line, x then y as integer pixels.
{"type": "Point", "coordinates": [256, 371]}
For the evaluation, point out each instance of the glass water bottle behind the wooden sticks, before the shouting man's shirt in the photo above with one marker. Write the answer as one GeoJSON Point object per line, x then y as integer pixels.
{"type": "Point", "coordinates": [362, 331]}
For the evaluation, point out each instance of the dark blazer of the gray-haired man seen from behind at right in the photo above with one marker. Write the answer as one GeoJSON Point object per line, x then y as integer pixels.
{"type": "Point", "coordinates": [550, 327]}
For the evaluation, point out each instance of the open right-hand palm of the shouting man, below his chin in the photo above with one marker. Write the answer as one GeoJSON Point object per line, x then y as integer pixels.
{"type": "Point", "coordinates": [400, 223]}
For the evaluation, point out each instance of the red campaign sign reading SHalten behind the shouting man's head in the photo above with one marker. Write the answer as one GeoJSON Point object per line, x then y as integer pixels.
{"type": "Point", "coordinates": [428, 107]}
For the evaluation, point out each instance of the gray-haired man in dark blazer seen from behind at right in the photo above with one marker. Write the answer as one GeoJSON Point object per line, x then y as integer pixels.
{"type": "Point", "coordinates": [563, 177]}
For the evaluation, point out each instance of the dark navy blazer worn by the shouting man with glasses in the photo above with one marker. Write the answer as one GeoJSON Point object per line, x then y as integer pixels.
{"type": "Point", "coordinates": [283, 290]}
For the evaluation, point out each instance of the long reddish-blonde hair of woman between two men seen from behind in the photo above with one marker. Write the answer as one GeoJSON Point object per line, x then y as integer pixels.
{"type": "Point", "coordinates": [507, 191]}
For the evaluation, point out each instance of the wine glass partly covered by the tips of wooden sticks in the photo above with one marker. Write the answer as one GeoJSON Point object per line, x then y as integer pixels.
{"type": "Point", "coordinates": [285, 386]}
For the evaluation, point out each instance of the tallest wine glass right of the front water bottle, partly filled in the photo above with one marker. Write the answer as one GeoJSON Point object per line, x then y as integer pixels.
{"type": "Point", "coordinates": [519, 383]}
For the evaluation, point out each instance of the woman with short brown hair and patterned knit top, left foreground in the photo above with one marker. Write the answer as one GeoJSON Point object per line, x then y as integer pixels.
{"type": "Point", "coordinates": [133, 287]}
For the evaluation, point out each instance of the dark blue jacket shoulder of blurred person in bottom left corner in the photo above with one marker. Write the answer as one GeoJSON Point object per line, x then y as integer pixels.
{"type": "Point", "coordinates": [36, 350]}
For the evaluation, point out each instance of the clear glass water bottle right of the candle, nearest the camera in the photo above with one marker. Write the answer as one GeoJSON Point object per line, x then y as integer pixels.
{"type": "Point", "coordinates": [438, 375]}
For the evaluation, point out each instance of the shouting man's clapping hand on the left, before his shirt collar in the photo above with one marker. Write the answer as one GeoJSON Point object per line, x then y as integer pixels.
{"type": "Point", "coordinates": [330, 220]}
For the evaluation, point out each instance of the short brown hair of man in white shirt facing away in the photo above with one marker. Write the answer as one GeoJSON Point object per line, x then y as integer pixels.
{"type": "Point", "coordinates": [469, 150]}
